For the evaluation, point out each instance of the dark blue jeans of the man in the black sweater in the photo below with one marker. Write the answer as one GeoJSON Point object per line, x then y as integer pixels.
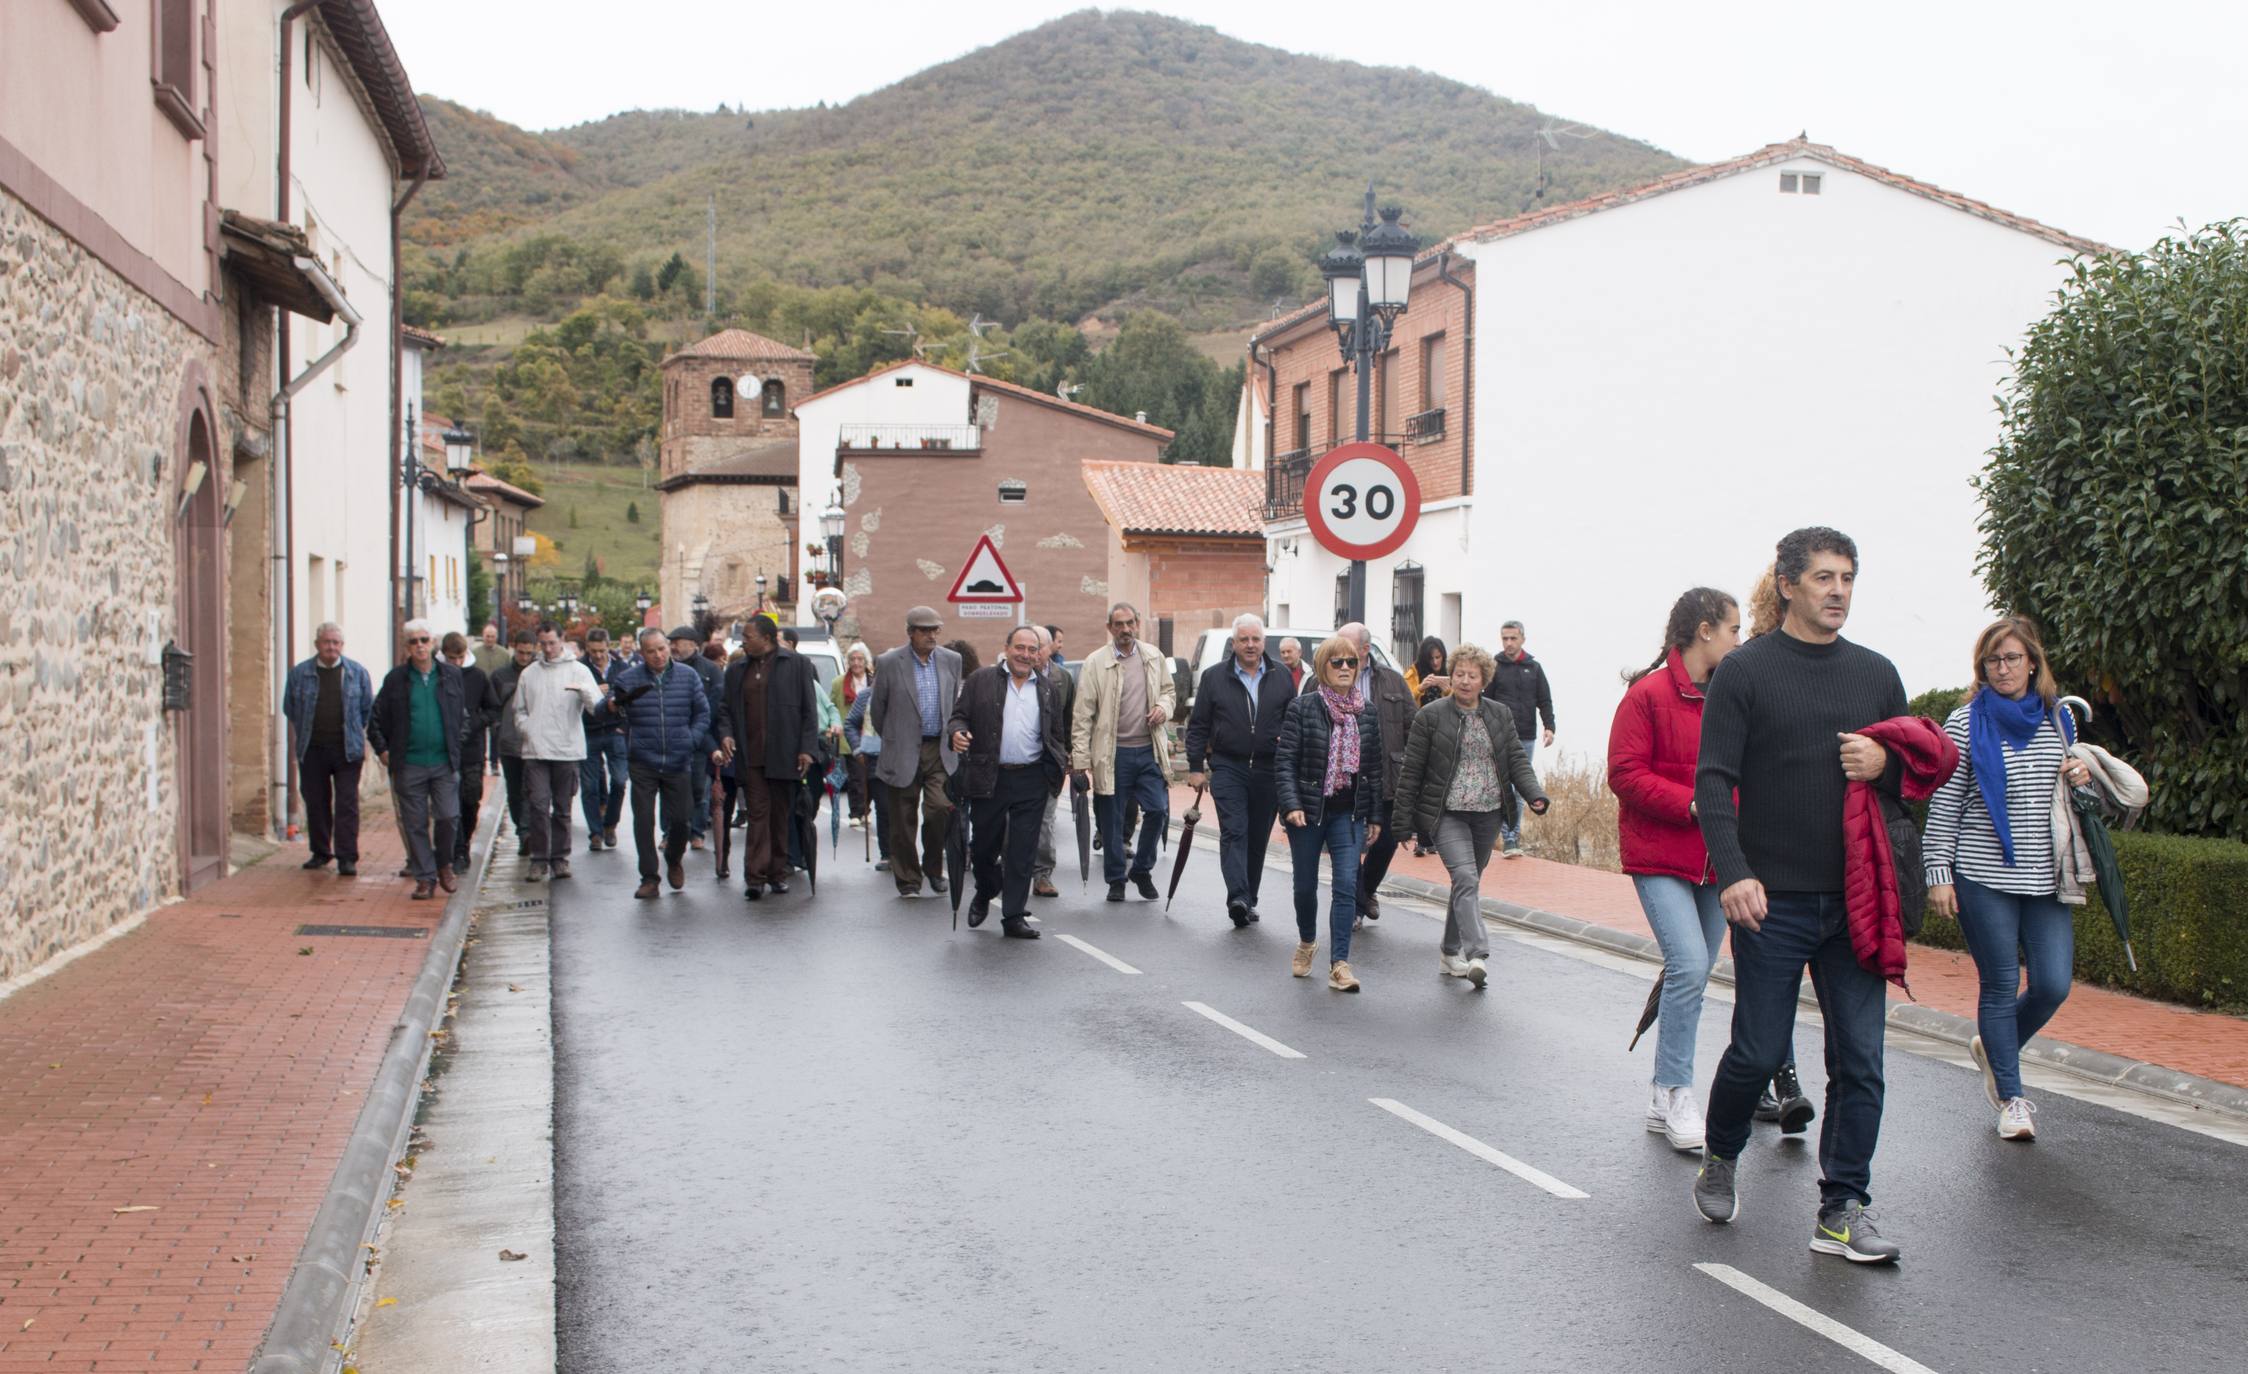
{"type": "Point", "coordinates": [1768, 975]}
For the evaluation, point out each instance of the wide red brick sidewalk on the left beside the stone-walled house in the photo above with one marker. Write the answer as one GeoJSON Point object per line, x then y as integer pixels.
{"type": "Point", "coordinates": [174, 1108]}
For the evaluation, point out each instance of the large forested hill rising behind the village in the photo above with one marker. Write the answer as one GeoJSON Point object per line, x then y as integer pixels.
{"type": "Point", "coordinates": [1094, 165]}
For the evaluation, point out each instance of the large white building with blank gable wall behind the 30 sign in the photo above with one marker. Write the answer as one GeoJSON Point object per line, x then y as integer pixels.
{"type": "Point", "coordinates": [1669, 379]}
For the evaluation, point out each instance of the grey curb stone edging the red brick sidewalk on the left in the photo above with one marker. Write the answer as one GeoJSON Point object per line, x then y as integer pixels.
{"type": "Point", "coordinates": [325, 1285]}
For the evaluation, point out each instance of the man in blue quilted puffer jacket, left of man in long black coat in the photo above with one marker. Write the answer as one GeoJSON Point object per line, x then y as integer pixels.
{"type": "Point", "coordinates": [667, 718]}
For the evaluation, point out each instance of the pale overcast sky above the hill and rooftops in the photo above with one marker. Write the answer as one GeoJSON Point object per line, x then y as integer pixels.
{"type": "Point", "coordinates": [2105, 120]}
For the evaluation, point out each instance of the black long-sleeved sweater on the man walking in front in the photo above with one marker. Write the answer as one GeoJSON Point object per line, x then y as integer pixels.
{"type": "Point", "coordinates": [1770, 730]}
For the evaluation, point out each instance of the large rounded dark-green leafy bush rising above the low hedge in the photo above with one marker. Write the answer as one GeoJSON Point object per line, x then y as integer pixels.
{"type": "Point", "coordinates": [2116, 512]}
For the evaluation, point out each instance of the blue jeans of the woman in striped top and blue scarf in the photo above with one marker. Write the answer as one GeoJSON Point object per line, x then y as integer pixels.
{"type": "Point", "coordinates": [2000, 930]}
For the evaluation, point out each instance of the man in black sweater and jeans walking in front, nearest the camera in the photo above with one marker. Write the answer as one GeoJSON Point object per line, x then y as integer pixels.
{"type": "Point", "coordinates": [1779, 730]}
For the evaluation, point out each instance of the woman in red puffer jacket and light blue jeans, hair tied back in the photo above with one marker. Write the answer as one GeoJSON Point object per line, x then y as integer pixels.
{"type": "Point", "coordinates": [1653, 748]}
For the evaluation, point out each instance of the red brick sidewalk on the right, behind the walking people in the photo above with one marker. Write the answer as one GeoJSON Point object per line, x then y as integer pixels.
{"type": "Point", "coordinates": [2206, 1045]}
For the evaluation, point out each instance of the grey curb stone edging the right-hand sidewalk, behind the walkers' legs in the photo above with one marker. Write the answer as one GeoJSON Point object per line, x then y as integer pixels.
{"type": "Point", "coordinates": [2099, 1067]}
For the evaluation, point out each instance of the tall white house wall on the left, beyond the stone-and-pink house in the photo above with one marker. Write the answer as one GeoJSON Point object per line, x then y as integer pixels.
{"type": "Point", "coordinates": [341, 195]}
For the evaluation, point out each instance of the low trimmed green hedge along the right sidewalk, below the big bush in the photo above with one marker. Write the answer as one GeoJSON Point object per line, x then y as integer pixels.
{"type": "Point", "coordinates": [2188, 923]}
